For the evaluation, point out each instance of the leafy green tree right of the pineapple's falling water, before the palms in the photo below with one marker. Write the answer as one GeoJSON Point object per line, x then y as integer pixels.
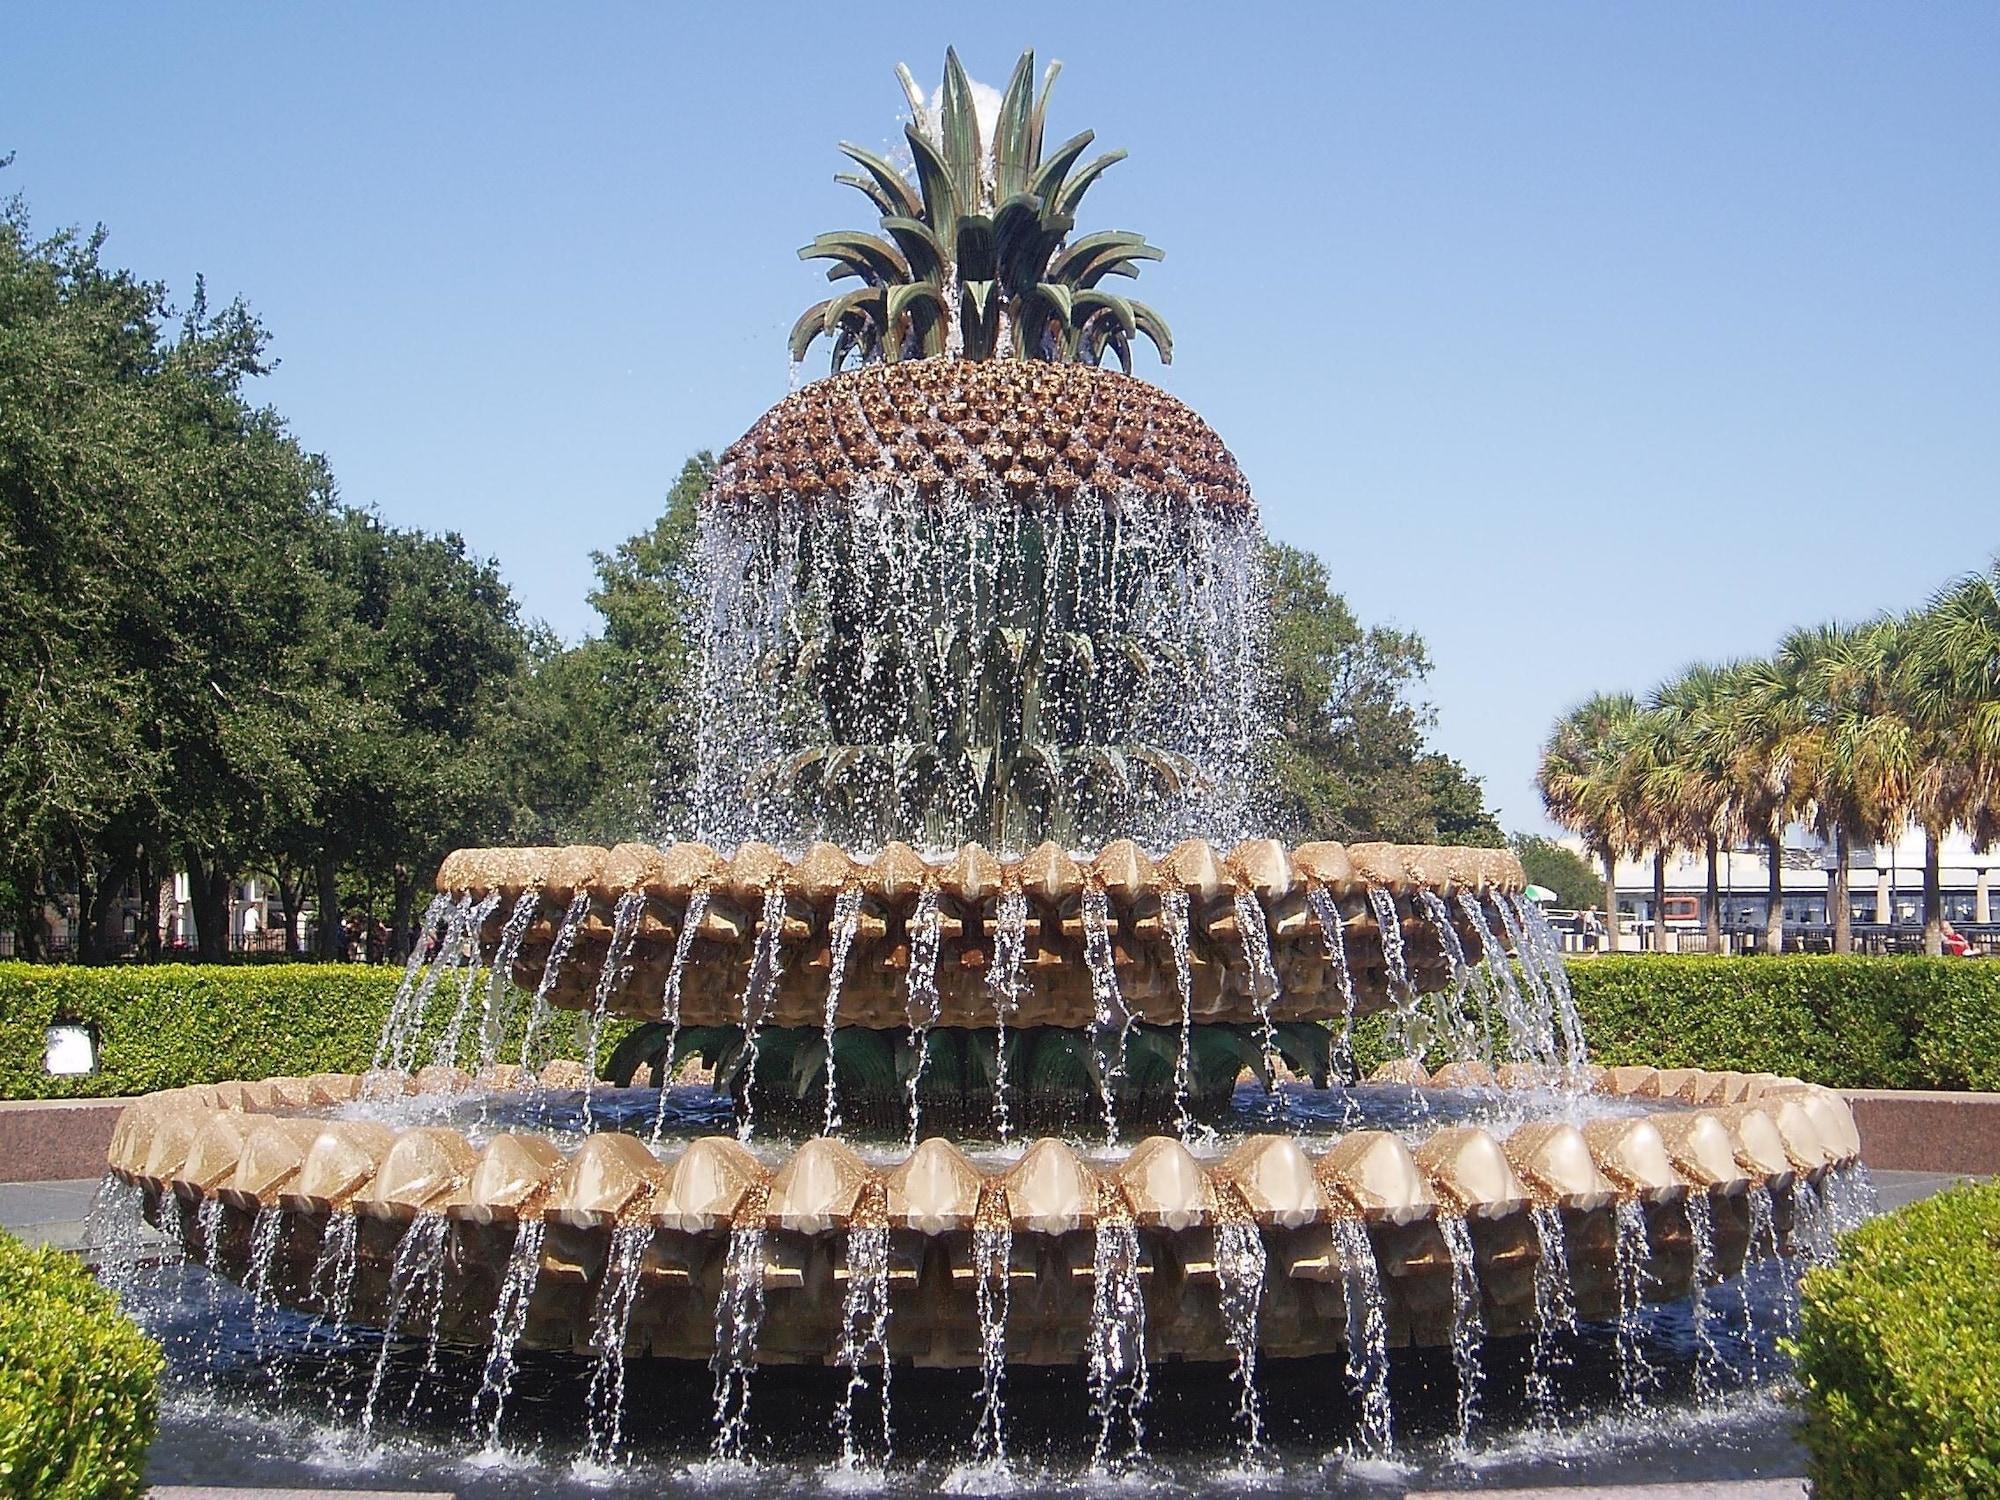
{"type": "Point", "coordinates": [1351, 757]}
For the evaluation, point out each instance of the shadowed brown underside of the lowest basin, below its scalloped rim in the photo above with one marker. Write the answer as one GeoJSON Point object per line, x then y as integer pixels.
{"type": "Point", "coordinates": [933, 1283]}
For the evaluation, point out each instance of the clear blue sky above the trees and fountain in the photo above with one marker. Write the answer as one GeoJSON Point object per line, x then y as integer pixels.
{"type": "Point", "coordinates": [1585, 339]}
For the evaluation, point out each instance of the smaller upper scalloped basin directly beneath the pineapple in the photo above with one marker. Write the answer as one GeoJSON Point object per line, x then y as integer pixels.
{"type": "Point", "coordinates": [1247, 933]}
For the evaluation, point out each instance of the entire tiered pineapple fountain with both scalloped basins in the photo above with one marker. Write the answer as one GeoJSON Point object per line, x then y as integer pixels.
{"type": "Point", "coordinates": [977, 941]}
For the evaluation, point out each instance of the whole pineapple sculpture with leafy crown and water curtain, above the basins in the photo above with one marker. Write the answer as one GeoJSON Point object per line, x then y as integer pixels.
{"type": "Point", "coordinates": [975, 587]}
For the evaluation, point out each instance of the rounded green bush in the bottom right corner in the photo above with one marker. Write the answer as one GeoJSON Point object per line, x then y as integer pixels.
{"type": "Point", "coordinates": [1899, 1353]}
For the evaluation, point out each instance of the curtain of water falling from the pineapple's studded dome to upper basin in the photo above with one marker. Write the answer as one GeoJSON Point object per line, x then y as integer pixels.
{"type": "Point", "coordinates": [1085, 669]}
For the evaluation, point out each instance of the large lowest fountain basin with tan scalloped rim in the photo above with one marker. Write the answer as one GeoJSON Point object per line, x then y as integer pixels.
{"type": "Point", "coordinates": [227, 1157]}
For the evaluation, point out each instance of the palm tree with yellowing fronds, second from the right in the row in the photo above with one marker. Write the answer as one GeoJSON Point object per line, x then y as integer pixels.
{"type": "Point", "coordinates": [1845, 737]}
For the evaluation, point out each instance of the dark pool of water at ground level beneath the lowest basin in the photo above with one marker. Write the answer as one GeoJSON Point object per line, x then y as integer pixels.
{"type": "Point", "coordinates": [271, 1399]}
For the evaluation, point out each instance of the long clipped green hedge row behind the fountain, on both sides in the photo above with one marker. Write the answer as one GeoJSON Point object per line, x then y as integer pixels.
{"type": "Point", "coordinates": [1851, 1023]}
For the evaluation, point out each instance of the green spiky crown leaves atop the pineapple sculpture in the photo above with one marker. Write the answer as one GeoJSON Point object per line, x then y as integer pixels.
{"type": "Point", "coordinates": [975, 259]}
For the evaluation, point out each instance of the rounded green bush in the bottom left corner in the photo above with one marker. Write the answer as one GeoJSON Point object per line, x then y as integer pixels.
{"type": "Point", "coordinates": [79, 1383]}
